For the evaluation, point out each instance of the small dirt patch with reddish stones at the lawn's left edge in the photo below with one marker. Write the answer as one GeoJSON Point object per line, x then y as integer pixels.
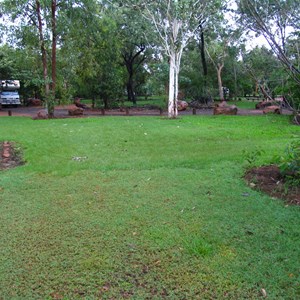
{"type": "Point", "coordinates": [10, 156]}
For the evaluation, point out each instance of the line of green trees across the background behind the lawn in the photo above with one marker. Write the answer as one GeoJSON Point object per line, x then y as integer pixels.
{"type": "Point", "coordinates": [109, 50]}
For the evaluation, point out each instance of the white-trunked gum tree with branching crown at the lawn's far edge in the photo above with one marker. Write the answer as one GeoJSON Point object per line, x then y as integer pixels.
{"type": "Point", "coordinates": [175, 23]}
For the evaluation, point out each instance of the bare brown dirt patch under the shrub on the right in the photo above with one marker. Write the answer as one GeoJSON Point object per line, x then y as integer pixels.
{"type": "Point", "coordinates": [269, 180]}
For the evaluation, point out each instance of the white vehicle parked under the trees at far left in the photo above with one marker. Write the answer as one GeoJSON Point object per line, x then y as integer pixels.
{"type": "Point", "coordinates": [9, 94]}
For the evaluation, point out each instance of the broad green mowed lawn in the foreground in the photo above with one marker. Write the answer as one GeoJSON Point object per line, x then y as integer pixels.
{"type": "Point", "coordinates": [145, 208]}
